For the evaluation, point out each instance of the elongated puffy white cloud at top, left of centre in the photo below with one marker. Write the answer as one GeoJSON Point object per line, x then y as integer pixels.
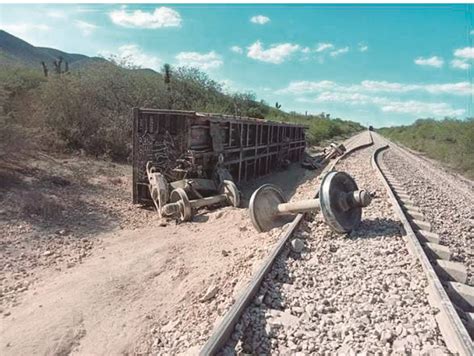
{"type": "Point", "coordinates": [161, 17]}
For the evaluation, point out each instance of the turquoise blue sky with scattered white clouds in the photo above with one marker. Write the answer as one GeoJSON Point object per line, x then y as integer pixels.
{"type": "Point", "coordinates": [377, 64]}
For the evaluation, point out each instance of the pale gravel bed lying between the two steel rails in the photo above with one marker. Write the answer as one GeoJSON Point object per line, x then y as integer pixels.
{"type": "Point", "coordinates": [363, 292]}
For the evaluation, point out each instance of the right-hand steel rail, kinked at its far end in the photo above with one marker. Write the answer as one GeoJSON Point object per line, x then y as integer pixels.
{"type": "Point", "coordinates": [454, 332]}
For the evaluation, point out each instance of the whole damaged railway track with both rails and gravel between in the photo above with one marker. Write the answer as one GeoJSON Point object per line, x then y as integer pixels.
{"type": "Point", "coordinates": [421, 305]}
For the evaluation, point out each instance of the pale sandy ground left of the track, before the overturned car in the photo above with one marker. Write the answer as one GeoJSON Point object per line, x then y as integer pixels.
{"type": "Point", "coordinates": [83, 271]}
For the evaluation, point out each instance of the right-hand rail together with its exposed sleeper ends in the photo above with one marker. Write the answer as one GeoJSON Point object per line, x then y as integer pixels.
{"type": "Point", "coordinates": [447, 288]}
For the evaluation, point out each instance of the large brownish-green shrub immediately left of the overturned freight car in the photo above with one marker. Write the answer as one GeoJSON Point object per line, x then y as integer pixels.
{"type": "Point", "coordinates": [91, 110]}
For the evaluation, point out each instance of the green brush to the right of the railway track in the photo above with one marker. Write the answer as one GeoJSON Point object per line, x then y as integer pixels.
{"type": "Point", "coordinates": [448, 141]}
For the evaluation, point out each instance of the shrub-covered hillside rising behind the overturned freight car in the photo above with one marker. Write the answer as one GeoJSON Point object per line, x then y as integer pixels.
{"type": "Point", "coordinates": [89, 111]}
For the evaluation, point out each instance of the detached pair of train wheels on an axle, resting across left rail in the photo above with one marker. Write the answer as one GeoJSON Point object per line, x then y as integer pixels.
{"type": "Point", "coordinates": [340, 202]}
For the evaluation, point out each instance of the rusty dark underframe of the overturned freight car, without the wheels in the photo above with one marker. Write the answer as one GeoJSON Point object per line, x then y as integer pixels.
{"type": "Point", "coordinates": [246, 147]}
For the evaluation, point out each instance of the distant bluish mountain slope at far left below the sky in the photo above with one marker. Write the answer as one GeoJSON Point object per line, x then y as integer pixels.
{"type": "Point", "coordinates": [15, 51]}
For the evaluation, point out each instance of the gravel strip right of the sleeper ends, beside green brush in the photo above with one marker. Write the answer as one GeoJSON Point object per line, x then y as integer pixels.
{"type": "Point", "coordinates": [445, 200]}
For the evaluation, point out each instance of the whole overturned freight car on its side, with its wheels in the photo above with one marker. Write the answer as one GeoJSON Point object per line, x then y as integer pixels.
{"type": "Point", "coordinates": [186, 155]}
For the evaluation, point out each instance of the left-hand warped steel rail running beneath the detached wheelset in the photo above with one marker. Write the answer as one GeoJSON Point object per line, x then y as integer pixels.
{"type": "Point", "coordinates": [224, 329]}
